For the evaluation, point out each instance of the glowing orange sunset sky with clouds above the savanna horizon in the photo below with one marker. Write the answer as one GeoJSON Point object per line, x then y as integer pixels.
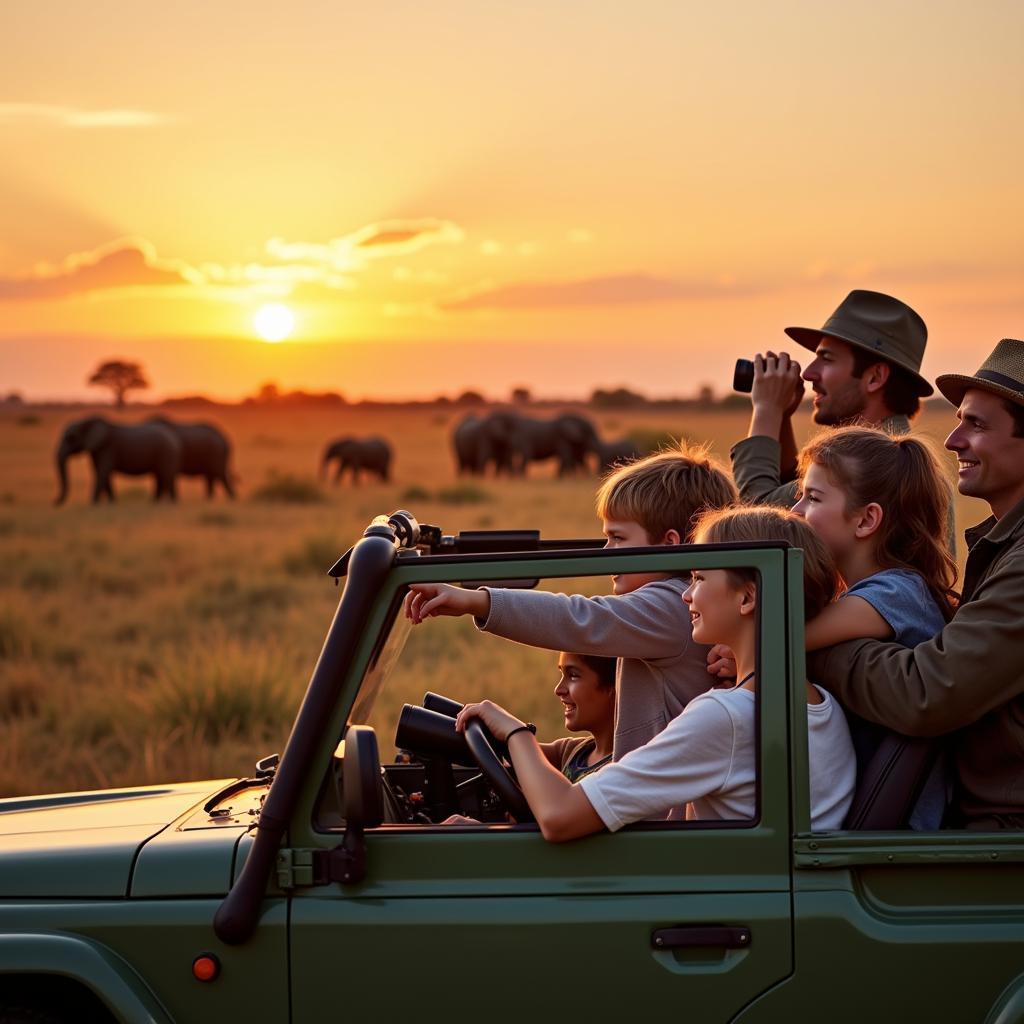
{"type": "Point", "coordinates": [563, 195]}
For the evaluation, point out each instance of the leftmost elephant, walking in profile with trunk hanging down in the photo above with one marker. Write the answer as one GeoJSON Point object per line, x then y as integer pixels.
{"type": "Point", "coordinates": [115, 448]}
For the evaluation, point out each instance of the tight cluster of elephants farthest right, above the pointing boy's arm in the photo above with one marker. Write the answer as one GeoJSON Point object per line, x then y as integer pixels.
{"type": "Point", "coordinates": [508, 442]}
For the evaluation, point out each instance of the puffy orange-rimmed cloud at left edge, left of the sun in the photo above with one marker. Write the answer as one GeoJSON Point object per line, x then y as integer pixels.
{"type": "Point", "coordinates": [123, 264]}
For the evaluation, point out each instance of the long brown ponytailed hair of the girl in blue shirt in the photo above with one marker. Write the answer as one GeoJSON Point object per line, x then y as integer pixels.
{"type": "Point", "coordinates": [904, 476]}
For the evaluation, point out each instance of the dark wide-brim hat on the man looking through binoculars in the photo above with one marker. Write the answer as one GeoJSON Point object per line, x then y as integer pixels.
{"type": "Point", "coordinates": [877, 324]}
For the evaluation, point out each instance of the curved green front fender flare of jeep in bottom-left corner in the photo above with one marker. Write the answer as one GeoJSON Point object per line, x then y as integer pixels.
{"type": "Point", "coordinates": [101, 970]}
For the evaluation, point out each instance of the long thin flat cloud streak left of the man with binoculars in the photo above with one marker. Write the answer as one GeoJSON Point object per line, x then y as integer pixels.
{"type": "Point", "coordinates": [613, 290]}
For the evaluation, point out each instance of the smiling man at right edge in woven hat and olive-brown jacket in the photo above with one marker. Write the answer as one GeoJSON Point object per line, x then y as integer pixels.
{"type": "Point", "coordinates": [970, 678]}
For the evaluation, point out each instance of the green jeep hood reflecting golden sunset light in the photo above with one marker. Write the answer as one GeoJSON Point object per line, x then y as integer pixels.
{"type": "Point", "coordinates": [84, 844]}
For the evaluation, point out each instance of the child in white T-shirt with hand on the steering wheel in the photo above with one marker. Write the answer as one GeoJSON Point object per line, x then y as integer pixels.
{"type": "Point", "coordinates": [706, 758]}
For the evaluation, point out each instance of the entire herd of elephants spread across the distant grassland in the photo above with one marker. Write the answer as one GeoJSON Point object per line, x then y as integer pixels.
{"type": "Point", "coordinates": [505, 442]}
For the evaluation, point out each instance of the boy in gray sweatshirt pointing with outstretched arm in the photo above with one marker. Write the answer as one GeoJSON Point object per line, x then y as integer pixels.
{"type": "Point", "coordinates": [645, 622]}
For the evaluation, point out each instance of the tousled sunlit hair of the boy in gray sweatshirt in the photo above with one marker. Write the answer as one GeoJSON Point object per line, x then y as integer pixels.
{"type": "Point", "coordinates": [667, 491]}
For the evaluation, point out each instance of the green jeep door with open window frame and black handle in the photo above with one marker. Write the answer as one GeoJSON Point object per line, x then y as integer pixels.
{"type": "Point", "coordinates": [690, 917]}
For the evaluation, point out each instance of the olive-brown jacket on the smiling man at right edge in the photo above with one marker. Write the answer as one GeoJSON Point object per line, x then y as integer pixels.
{"type": "Point", "coordinates": [969, 680]}
